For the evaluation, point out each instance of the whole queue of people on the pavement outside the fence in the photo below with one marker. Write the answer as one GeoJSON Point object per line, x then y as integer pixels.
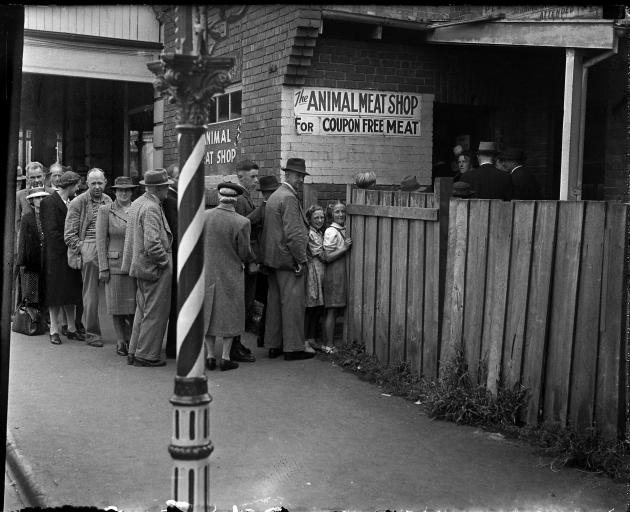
{"type": "Point", "coordinates": [69, 246]}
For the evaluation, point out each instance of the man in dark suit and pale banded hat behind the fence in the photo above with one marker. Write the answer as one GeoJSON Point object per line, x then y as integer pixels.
{"type": "Point", "coordinates": [486, 180]}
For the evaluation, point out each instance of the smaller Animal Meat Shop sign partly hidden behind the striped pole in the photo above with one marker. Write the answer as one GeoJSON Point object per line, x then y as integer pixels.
{"type": "Point", "coordinates": [222, 142]}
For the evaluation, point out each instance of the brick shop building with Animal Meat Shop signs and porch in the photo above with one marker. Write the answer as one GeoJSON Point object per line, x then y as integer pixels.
{"type": "Point", "coordinates": [392, 89]}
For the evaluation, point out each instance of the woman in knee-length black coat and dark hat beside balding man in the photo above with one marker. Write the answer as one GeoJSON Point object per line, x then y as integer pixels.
{"type": "Point", "coordinates": [63, 284]}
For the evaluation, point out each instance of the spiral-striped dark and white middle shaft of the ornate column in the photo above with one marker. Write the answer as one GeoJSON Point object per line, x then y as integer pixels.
{"type": "Point", "coordinates": [190, 274]}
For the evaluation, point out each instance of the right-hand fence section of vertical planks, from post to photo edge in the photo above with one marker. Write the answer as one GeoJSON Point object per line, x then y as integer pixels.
{"type": "Point", "coordinates": [534, 297]}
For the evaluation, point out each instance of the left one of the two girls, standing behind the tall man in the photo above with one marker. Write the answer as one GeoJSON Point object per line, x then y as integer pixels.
{"type": "Point", "coordinates": [315, 271]}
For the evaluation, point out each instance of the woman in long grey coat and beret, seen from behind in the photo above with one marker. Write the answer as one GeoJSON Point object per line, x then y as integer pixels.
{"type": "Point", "coordinates": [227, 250]}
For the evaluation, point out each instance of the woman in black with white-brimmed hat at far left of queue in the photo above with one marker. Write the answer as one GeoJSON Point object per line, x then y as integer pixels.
{"type": "Point", "coordinates": [30, 255]}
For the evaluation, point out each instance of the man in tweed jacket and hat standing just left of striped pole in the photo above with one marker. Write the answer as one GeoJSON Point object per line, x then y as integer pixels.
{"type": "Point", "coordinates": [147, 257]}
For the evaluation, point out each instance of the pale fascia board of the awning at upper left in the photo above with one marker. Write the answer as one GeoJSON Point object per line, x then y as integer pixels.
{"type": "Point", "coordinates": [52, 53]}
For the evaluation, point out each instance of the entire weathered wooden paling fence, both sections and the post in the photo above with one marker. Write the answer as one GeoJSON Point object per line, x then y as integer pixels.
{"type": "Point", "coordinates": [531, 291]}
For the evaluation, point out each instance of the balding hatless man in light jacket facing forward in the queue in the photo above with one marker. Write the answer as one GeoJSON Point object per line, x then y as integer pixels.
{"type": "Point", "coordinates": [80, 234]}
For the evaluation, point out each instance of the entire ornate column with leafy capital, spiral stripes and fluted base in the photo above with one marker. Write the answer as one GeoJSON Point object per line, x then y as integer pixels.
{"type": "Point", "coordinates": [189, 78]}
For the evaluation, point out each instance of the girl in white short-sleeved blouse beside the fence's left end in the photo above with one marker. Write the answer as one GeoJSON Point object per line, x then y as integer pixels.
{"type": "Point", "coordinates": [336, 244]}
